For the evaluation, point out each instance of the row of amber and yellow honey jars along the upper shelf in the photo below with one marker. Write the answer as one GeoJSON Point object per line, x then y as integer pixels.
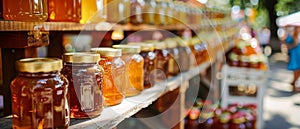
{"type": "Point", "coordinates": [158, 12]}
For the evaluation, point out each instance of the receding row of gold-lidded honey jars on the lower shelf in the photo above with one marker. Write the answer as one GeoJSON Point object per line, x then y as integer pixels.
{"type": "Point", "coordinates": [48, 91]}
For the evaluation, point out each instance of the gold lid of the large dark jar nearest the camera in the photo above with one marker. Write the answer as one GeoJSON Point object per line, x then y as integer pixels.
{"type": "Point", "coordinates": [36, 65]}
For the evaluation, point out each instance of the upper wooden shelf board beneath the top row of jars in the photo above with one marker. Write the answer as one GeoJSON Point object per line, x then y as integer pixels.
{"type": "Point", "coordinates": [102, 26]}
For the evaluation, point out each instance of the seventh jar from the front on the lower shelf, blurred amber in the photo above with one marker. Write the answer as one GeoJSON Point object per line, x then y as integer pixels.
{"type": "Point", "coordinates": [173, 68]}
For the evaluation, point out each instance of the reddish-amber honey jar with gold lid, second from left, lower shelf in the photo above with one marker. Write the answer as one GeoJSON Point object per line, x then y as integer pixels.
{"type": "Point", "coordinates": [85, 80]}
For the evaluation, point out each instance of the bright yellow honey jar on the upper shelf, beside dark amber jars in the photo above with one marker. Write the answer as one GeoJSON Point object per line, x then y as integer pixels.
{"type": "Point", "coordinates": [93, 11]}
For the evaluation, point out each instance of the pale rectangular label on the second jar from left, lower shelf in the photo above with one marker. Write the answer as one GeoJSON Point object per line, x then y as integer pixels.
{"type": "Point", "coordinates": [87, 93]}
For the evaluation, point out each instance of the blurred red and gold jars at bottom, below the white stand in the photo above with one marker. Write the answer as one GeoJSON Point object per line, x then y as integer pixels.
{"type": "Point", "coordinates": [235, 116]}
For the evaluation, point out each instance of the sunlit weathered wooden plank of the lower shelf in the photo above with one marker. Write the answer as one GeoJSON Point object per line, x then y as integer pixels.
{"type": "Point", "coordinates": [112, 116]}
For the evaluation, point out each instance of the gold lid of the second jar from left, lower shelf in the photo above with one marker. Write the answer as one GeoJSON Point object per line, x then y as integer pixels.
{"type": "Point", "coordinates": [80, 57]}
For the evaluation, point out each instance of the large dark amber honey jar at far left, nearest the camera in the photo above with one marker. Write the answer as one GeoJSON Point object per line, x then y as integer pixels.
{"type": "Point", "coordinates": [39, 95]}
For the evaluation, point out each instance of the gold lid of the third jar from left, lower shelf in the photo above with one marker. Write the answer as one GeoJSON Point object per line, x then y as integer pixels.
{"type": "Point", "coordinates": [107, 51]}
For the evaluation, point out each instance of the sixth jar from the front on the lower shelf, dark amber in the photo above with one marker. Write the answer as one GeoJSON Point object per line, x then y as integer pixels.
{"type": "Point", "coordinates": [162, 61]}
